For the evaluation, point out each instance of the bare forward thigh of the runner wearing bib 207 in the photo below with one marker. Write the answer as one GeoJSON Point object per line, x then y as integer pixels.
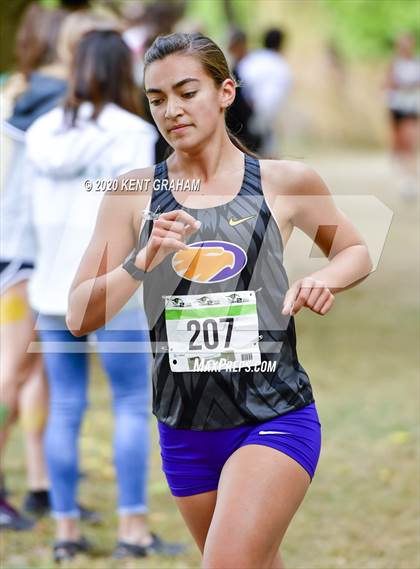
{"type": "Point", "coordinates": [260, 490]}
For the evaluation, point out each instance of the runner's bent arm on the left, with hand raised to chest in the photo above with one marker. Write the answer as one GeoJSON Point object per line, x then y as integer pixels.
{"type": "Point", "coordinates": [101, 286]}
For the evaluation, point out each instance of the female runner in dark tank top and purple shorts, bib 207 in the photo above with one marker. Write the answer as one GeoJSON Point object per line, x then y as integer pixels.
{"type": "Point", "coordinates": [239, 444]}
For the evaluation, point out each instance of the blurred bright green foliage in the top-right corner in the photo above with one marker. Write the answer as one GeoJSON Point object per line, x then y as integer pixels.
{"type": "Point", "coordinates": [367, 28]}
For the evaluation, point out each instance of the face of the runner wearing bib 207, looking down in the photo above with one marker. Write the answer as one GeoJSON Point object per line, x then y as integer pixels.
{"type": "Point", "coordinates": [184, 101]}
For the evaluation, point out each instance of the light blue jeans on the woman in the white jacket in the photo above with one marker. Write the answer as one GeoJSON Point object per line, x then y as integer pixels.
{"type": "Point", "coordinates": [128, 373]}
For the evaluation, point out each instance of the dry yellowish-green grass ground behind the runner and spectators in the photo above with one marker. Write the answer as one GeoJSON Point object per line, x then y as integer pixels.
{"type": "Point", "coordinates": [361, 511]}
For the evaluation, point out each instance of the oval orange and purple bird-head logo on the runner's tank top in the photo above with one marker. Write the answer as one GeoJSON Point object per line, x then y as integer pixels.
{"type": "Point", "coordinates": [209, 261]}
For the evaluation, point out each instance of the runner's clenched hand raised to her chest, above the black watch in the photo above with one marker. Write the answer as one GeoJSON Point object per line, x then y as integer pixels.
{"type": "Point", "coordinates": [168, 236]}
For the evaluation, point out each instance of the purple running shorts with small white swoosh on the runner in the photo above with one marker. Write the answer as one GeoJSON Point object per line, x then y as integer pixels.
{"type": "Point", "coordinates": [193, 460]}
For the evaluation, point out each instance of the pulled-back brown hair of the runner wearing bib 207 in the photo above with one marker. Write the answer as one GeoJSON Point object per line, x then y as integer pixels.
{"type": "Point", "coordinates": [206, 51]}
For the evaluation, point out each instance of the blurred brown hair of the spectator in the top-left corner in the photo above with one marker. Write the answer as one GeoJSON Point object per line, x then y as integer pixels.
{"type": "Point", "coordinates": [36, 39]}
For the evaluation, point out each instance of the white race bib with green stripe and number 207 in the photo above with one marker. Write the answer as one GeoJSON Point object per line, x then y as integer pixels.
{"type": "Point", "coordinates": [212, 332]}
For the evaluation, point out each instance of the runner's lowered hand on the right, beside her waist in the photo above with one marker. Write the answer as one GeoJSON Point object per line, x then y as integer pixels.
{"type": "Point", "coordinates": [309, 292]}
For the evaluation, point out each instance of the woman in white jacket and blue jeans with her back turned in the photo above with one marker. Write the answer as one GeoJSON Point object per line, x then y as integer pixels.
{"type": "Point", "coordinates": [75, 152]}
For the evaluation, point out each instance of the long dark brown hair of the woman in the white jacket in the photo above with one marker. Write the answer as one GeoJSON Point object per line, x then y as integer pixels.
{"type": "Point", "coordinates": [101, 73]}
